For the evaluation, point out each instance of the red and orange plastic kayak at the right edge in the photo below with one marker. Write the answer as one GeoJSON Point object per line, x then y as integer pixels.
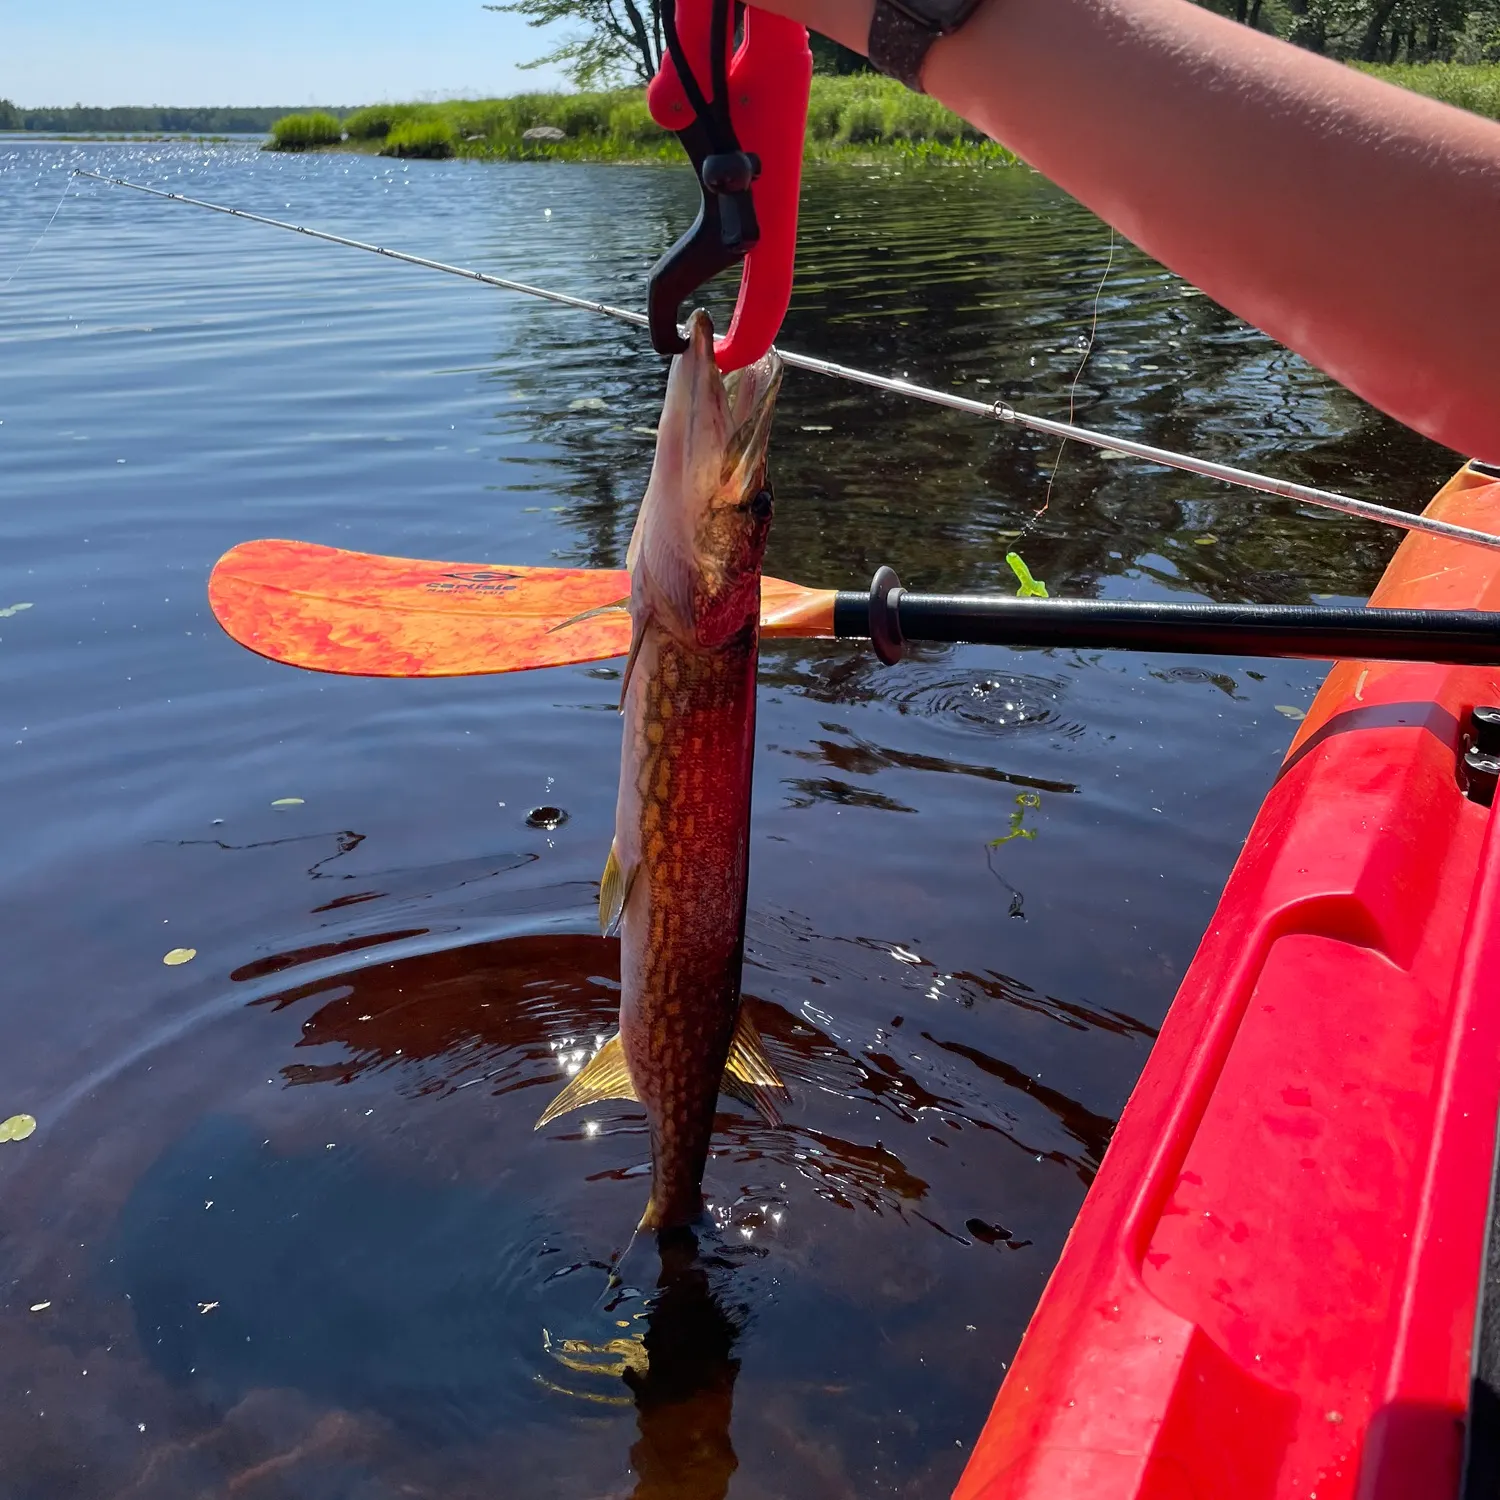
{"type": "Point", "coordinates": [1276, 1282]}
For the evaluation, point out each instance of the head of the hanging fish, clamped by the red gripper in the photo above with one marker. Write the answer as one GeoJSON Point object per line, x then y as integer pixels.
{"type": "Point", "coordinates": [700, 541]}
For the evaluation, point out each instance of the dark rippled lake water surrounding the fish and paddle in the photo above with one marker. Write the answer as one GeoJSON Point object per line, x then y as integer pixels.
{"type": "Point", "coordinates": [284, 1228]}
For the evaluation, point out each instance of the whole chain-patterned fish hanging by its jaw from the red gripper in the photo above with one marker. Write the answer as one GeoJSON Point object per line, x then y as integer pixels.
{"type": "Point", "coordinates": [676, 881]}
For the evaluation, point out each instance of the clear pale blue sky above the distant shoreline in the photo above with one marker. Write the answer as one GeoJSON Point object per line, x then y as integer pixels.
{"type": "Point", "coordinates": [260, 52]}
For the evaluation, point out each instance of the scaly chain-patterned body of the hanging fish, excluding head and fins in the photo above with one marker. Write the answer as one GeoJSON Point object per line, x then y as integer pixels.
{"type": "Point", "coordinates": [685, 824]}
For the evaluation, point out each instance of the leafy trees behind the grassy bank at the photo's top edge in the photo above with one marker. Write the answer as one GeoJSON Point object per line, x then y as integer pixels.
{"type": "Point", "coordinates": [620, 41]}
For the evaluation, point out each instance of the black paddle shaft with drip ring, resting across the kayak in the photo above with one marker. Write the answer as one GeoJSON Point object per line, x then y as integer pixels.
{"type": "Point", "coordinates": [889, 616]}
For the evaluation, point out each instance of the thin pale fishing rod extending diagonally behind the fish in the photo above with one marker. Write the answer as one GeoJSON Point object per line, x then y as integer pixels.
{"type": "Point", "coordinates": [995, 412]}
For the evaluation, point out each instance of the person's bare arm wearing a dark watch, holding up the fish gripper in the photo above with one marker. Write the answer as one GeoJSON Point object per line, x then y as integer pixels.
{"type": "Point", "coordinates": [1352, 221]}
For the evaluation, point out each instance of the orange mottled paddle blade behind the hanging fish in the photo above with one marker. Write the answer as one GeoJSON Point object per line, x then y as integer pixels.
{"type": "Point", "coordinates": [365, 616]}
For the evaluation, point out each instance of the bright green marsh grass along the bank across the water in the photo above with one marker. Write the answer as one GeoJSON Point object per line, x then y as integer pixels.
{"type": "Point", "coordinates": [862, 118]}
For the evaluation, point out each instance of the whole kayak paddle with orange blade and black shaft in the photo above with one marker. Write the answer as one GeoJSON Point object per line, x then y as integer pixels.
{"type": "Point", "coordinates": [367, 616]}
